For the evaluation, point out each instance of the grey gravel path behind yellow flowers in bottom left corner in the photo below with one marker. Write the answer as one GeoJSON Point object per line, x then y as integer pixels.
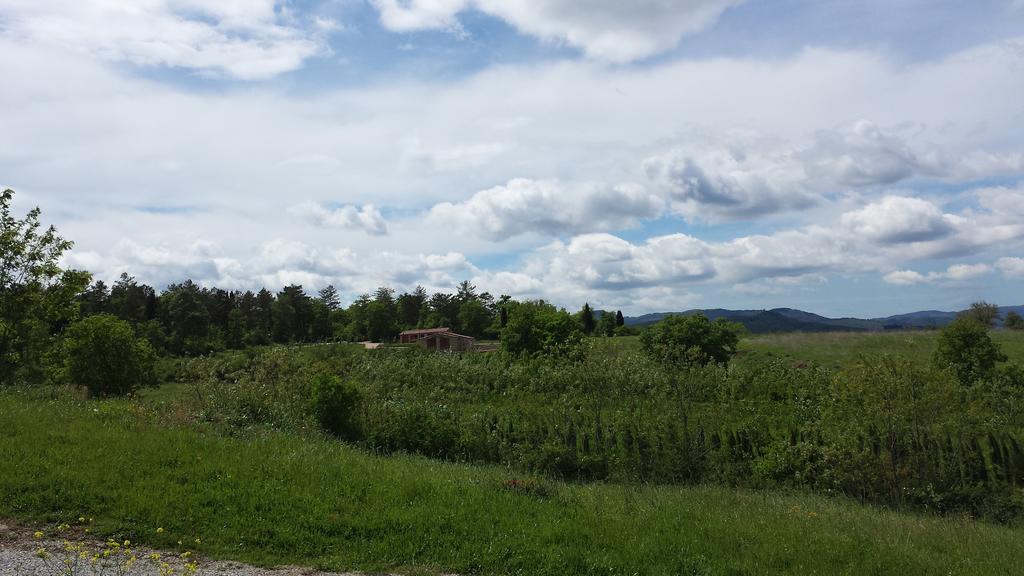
{"type": "Point", "coordinates": [18, 558]}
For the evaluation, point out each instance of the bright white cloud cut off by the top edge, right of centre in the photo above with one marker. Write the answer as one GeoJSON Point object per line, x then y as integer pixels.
{"type": "Point", "coordinates": [607, 30]}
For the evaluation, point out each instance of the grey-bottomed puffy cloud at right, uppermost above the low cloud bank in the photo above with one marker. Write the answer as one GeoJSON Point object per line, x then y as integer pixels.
{"type": "Point", "coordinates": [747, 176]}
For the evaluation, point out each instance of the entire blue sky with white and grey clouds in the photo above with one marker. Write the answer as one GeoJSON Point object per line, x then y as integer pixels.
{"type": "Point", "coordinates": [849, 158]}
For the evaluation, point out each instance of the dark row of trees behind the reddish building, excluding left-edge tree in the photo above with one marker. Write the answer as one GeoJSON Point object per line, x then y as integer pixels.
{"type": "Point", "coordinates": [189, 319]}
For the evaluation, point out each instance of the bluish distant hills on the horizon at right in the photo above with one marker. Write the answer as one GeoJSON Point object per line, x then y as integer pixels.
{"type": "Point", "coordinates": [792, 320]}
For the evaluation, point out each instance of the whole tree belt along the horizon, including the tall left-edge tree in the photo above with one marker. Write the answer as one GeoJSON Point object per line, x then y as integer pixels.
{"type": "Point", "coordinates": [40, 299]}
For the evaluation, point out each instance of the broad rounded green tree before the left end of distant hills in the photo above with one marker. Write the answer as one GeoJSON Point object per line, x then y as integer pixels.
{"type": "Point", "coordinates": [693, 340]}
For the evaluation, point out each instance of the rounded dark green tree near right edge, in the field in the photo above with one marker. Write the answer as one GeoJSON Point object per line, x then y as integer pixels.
{"type": "Point", "coordinates": [966, 348]}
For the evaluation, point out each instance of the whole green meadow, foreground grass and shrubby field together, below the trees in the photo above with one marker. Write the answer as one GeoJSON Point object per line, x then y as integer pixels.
{"type": "Point", "coordinates": [809, 455]}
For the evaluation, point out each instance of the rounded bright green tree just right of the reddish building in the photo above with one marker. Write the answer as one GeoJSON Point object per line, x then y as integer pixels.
{"type": "Point", "coordinates": [537, 327]}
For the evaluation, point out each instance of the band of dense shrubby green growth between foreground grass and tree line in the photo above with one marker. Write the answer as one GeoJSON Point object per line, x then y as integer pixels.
{"type": "Point", "coordinates": [885, 431]}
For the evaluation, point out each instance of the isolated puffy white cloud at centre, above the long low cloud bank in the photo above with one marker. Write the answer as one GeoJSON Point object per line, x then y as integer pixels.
{"type": "Point", "coordinates": [548, 209]}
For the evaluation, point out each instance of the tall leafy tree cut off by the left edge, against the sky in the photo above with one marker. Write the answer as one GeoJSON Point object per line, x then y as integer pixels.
{"type": "Point", "coordinates": [37, 296]}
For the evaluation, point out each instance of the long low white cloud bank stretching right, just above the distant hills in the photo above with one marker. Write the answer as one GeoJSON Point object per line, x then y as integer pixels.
{"type": "Point", "coordinates": [601, 267]}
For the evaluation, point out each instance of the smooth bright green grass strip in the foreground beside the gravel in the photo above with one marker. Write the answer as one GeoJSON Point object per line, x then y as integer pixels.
{"type": "Point", "coordinates": [276, 499]}
